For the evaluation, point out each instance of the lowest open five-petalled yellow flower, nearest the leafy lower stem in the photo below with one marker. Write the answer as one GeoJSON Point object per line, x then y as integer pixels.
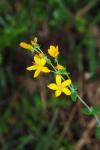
{"type": "Point", "coordinates": [60, 87]}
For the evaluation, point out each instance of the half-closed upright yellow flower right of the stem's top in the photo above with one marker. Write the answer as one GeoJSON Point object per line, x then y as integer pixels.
{"type": "Point", "coordinates": [53, 51]}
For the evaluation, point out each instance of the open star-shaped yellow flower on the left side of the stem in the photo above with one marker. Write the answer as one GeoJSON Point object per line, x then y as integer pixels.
{"type": "Point", "coordinates": [39, 66]}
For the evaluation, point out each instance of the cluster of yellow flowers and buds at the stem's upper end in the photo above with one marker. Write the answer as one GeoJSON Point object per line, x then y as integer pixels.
{"type": "Point", "coordinates": [40, 62]}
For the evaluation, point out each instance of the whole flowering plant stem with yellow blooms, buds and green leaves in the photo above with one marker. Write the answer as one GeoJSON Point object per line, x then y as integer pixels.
{"type": "Point", "coordinates": [60, 85]}
